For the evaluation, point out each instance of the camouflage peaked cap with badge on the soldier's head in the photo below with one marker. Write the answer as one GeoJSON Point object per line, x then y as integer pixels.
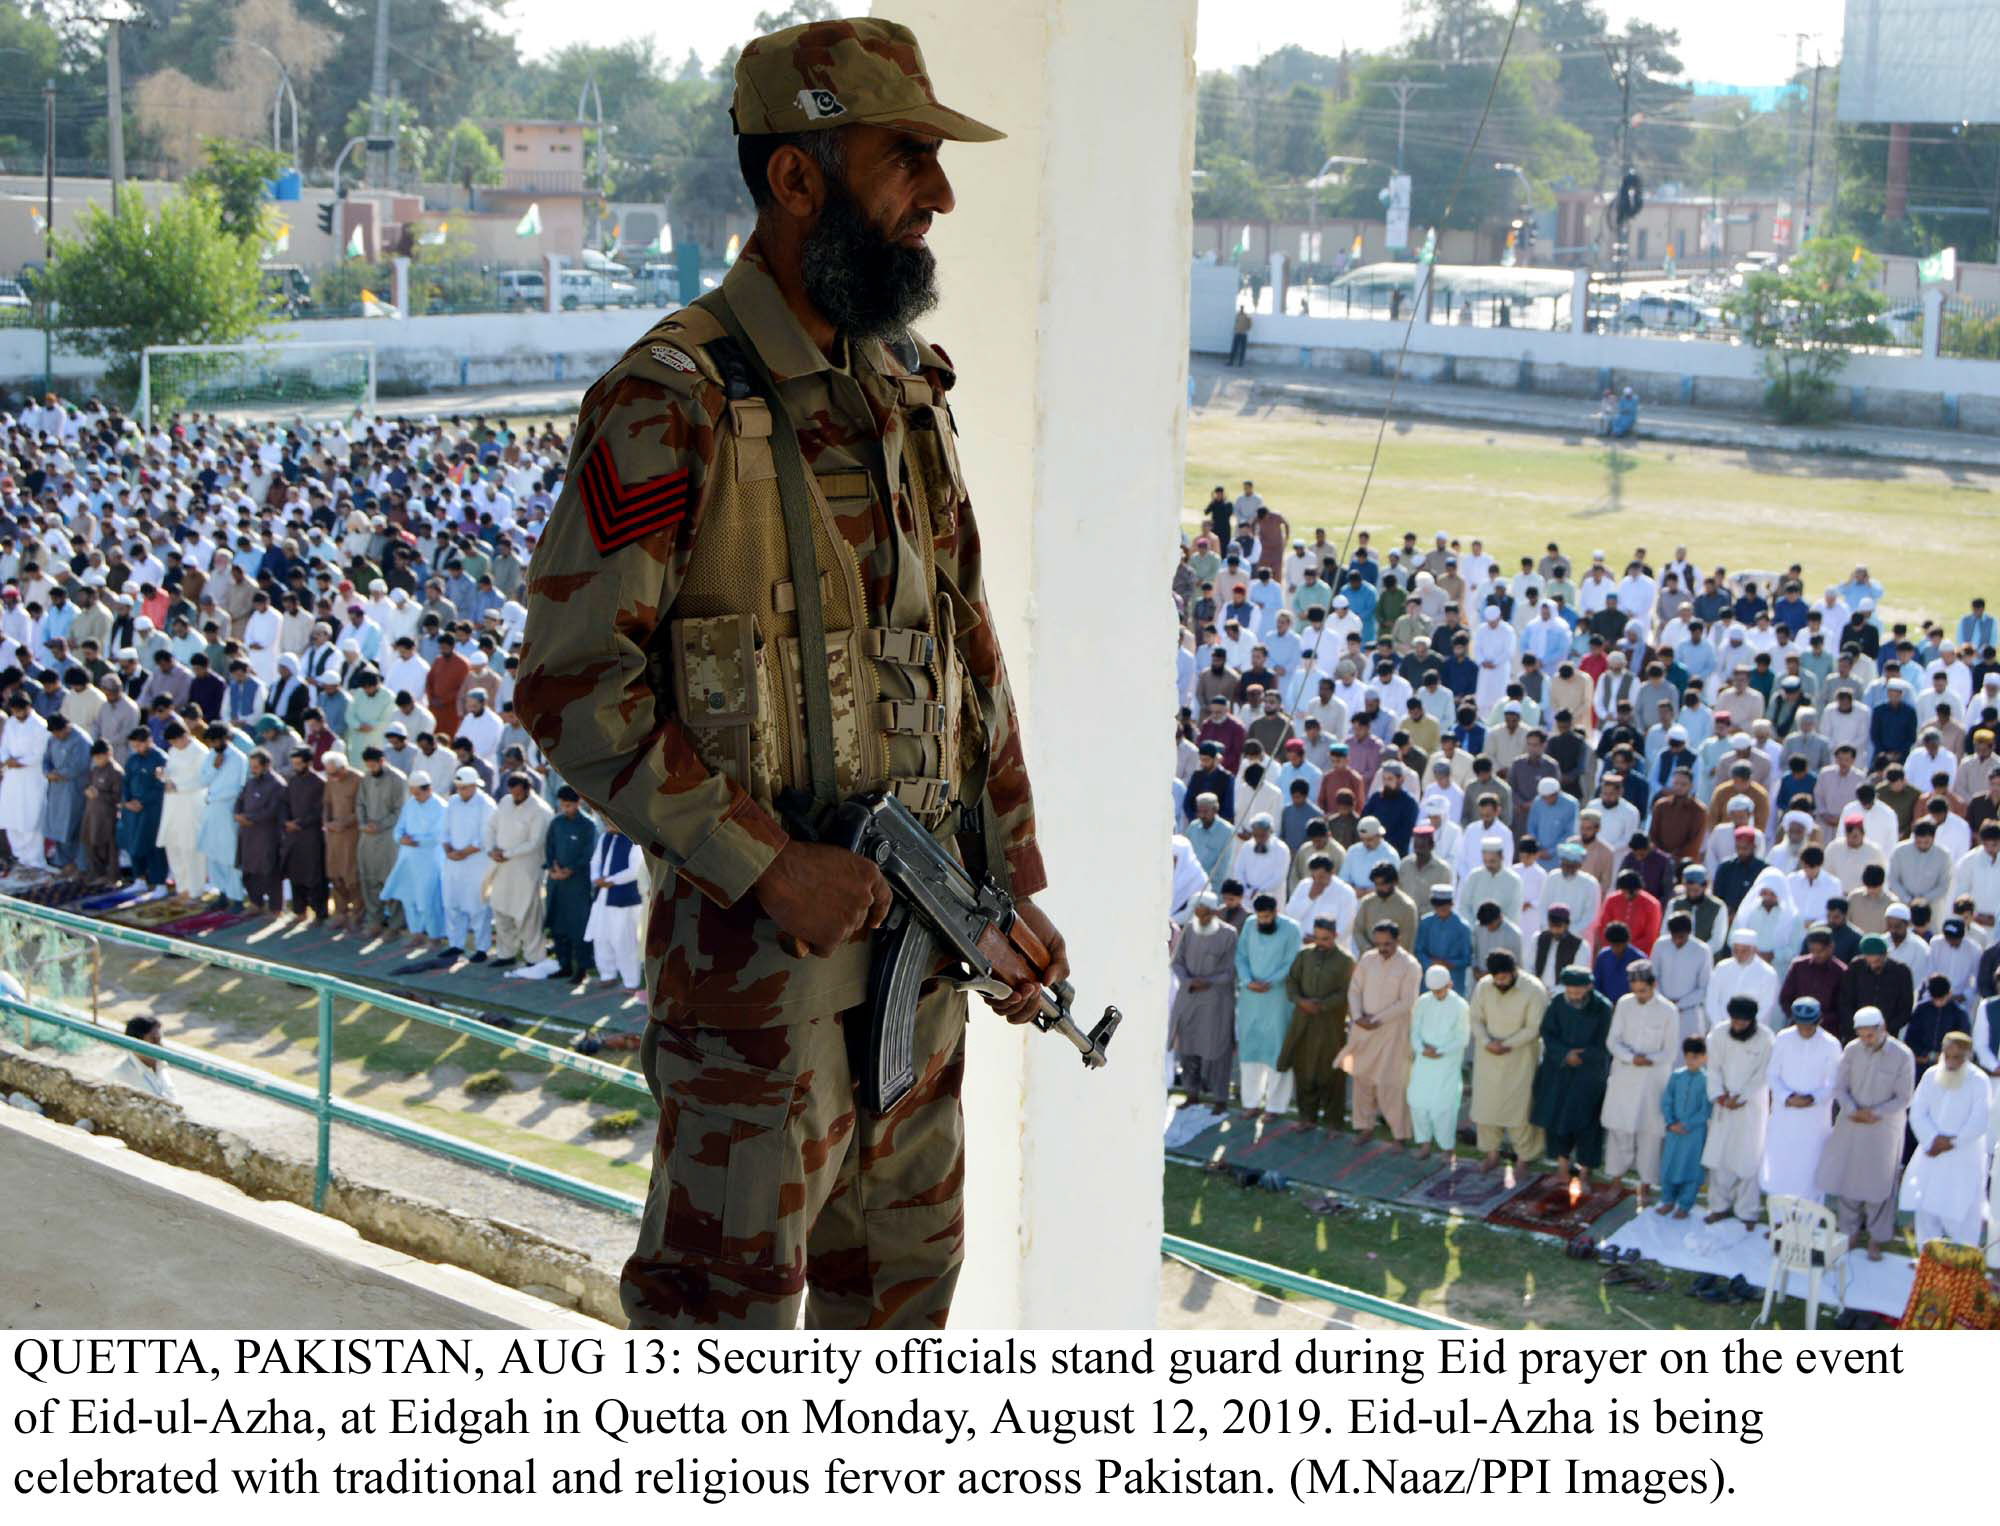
{"type": "Point", "coordinates": [829, 75]}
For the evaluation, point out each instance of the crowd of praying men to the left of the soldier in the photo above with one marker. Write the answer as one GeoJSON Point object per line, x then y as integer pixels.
{"type": "Point", "coordinates": [271, 667]}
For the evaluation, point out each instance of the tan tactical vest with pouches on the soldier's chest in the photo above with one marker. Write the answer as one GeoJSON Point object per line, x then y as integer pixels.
{"type": "Point", "coordinates": [903, 705]}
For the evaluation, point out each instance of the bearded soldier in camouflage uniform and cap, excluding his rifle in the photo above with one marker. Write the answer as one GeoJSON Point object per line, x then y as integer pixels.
{"type": "Point", "coordinates": [667, 681]}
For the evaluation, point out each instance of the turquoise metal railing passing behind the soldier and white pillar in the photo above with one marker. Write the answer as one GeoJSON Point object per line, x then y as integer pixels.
{"type": "Point", "coordinates": [329, 1109]}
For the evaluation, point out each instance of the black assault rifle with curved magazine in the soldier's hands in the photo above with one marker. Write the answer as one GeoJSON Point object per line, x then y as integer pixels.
{"type": "Point", "coordinates": [939, 913]}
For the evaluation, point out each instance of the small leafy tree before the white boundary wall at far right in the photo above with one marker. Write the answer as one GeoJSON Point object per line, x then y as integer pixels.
{"type": "Point", "coordinates": [1807, 319]}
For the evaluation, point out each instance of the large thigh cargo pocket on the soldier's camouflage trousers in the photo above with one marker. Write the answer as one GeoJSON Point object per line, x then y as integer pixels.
{"type": "Point", "coordinates": [733, 1155]}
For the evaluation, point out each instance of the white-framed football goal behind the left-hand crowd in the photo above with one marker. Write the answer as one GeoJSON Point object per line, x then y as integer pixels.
{"type": "Point", "coordinates": [285, 379]}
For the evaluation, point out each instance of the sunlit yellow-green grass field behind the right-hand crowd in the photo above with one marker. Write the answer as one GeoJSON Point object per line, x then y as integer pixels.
{"type": "Point", "coordinates": [1927, 533]}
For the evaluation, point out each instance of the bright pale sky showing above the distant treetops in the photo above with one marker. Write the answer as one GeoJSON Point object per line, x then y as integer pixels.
{"type": "Point", "coordinates": [1717, 45]}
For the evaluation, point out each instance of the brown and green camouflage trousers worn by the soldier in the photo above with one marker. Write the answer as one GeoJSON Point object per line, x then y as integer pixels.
{"type": "Point", "coordinates": [775, 1191]}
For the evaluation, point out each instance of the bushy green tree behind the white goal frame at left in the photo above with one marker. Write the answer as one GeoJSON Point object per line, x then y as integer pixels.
{"type": "Point", "coordinates": [143, 277]}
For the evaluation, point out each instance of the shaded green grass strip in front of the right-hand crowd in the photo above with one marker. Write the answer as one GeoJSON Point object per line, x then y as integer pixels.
{"type": "Point", "coordinates": [1501, 1279]}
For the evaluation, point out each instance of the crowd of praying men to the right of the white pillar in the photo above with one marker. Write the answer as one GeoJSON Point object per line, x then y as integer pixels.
{"type": "Point", "coordinates": [1657, 869]}
